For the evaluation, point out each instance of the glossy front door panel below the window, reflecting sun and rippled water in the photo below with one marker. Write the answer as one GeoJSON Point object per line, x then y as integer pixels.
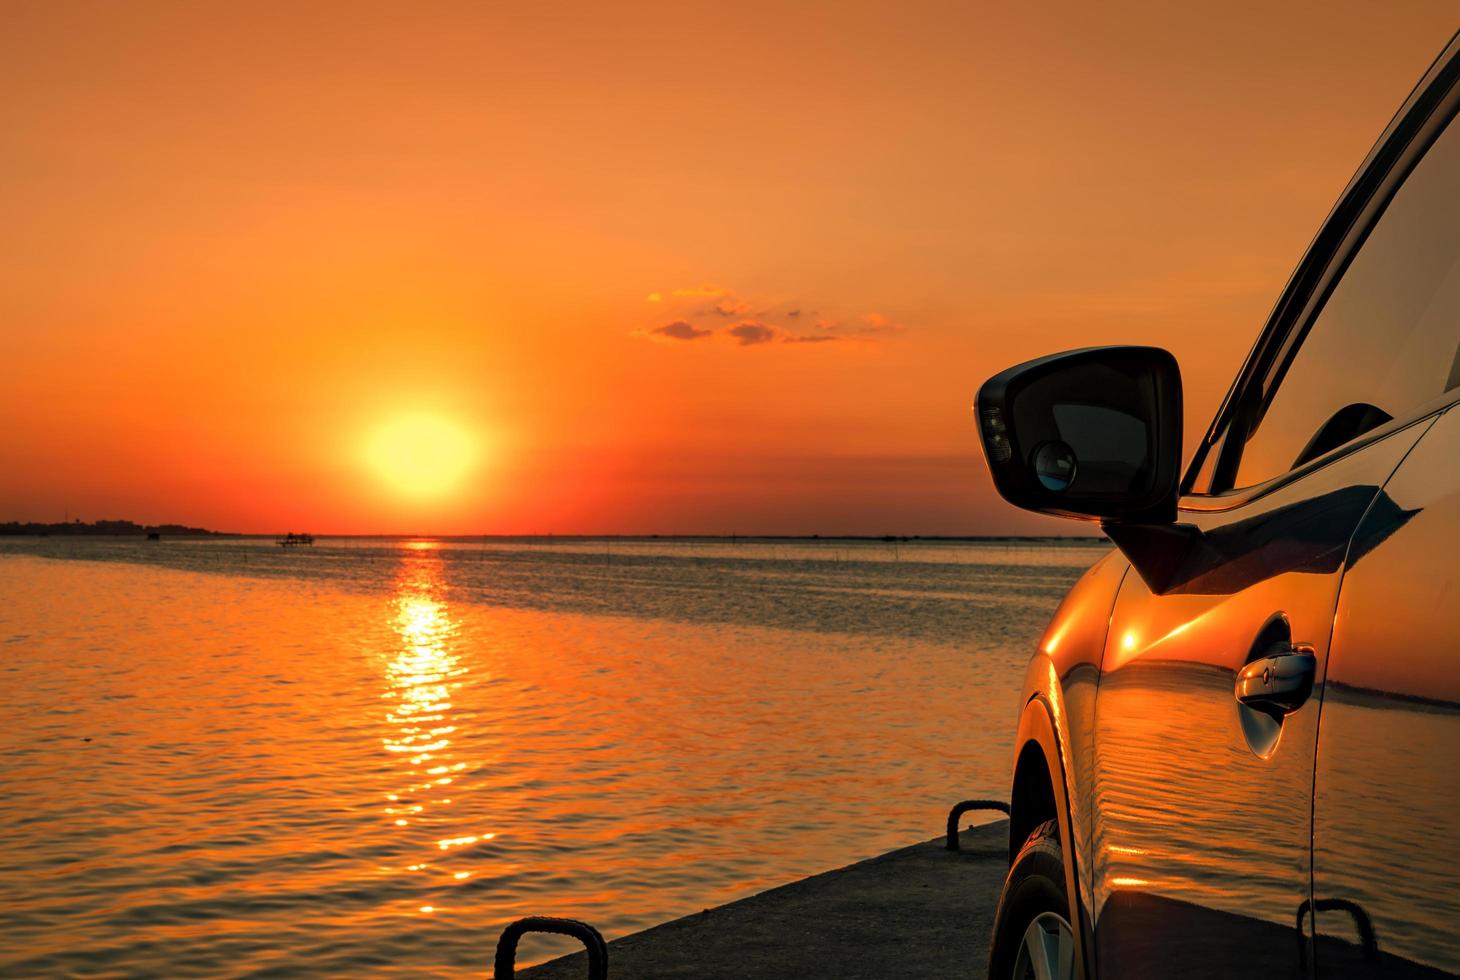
{"type": "Point", "coordinates": [1202, 805]}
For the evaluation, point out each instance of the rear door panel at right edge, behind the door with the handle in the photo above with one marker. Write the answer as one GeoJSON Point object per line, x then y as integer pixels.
{"type": "Point", "coordinates": [1386, 876]}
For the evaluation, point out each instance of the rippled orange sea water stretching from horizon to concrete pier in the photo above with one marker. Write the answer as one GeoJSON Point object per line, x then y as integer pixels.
{"type": "Point", "coordinates": [224, 757]}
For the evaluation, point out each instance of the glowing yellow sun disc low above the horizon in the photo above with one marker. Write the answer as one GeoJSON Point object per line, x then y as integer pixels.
{"type": "Point", "coordinates": [421, 455]}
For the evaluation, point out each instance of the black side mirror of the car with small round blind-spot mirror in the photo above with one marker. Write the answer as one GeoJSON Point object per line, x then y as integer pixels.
{"type": "Point", "coordinates": [1090, 435]}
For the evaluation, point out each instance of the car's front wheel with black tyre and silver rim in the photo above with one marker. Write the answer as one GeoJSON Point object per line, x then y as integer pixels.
{"type": "Point", "coordinates": [1033, 937]}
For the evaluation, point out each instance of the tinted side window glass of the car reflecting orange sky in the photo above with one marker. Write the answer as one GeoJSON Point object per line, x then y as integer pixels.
{"type": "Point", "coordinates": [1386, 341]}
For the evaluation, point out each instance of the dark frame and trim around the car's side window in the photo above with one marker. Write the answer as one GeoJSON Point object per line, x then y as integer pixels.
{"type": "Point", "coordinates": [1426, 113]}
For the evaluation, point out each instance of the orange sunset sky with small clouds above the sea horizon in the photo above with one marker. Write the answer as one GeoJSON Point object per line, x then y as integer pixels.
{"type": "Point", "coordinates": [240, 243]}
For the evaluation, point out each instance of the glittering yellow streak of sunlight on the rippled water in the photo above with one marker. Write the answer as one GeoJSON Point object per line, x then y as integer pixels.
{"type": "Point", "coordinates": [423, 680]}
